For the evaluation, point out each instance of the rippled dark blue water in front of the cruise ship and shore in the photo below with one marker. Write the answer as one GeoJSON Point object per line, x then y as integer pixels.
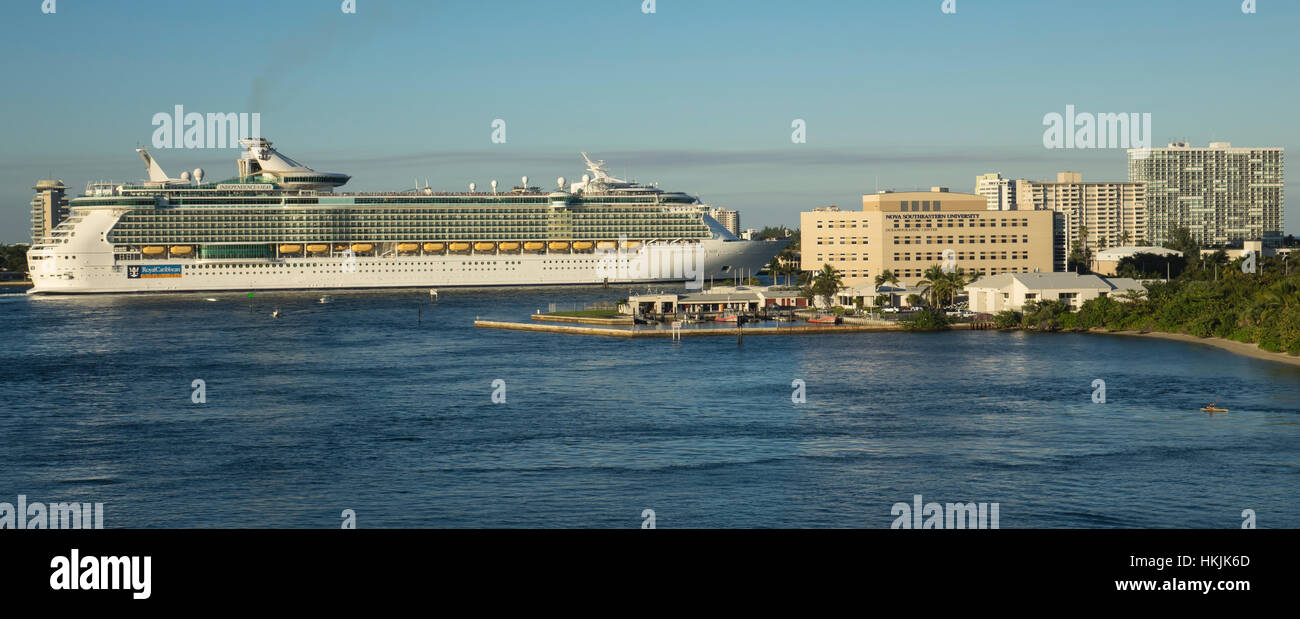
{"type": "Point", "coordinates": [358, 406]}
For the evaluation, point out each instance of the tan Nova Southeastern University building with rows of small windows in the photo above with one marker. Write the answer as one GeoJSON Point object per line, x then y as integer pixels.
{"type": "Point", "coordinates": [909, 232]}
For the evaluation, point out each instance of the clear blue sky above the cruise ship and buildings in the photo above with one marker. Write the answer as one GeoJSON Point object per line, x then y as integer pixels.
{"type": "Point", "coordinates": [699, 96]}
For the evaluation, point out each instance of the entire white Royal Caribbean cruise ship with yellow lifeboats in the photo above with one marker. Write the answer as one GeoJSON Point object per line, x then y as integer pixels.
{"type": "Point", "coordinates": [281, 226]}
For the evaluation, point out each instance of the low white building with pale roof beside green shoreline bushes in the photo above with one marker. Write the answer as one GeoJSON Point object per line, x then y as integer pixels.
{"type": "Point", "coordinates": [1013, 291]}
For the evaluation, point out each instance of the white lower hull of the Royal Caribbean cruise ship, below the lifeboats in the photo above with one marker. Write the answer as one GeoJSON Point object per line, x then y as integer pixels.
{"type": "Point", "coordinates": [86, 265]}
